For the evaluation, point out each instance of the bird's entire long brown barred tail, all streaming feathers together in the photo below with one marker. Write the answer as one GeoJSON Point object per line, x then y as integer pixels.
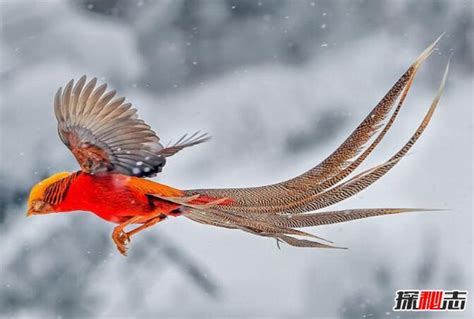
{"type": "Point", "coordinates": [275, 210]}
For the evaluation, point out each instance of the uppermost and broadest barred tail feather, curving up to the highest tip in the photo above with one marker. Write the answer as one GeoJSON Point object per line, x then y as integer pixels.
{"type": "Point", "coordinates": [334, 168]}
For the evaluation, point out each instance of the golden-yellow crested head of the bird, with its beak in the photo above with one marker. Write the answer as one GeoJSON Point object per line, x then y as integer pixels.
{"type": "Point", "coordinates": [36, 201]}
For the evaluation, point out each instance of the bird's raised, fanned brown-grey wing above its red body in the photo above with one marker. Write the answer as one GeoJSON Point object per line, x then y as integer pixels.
{"type": "Point", "coordinates": [105, 134]}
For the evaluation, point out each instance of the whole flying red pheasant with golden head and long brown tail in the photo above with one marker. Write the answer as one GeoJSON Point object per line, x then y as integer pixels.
{"type": "Point", "coordinates": [117, 151]}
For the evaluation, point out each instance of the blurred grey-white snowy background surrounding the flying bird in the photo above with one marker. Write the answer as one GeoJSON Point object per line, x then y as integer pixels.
{"type": "Point", "coordinates": [279, 85]}
